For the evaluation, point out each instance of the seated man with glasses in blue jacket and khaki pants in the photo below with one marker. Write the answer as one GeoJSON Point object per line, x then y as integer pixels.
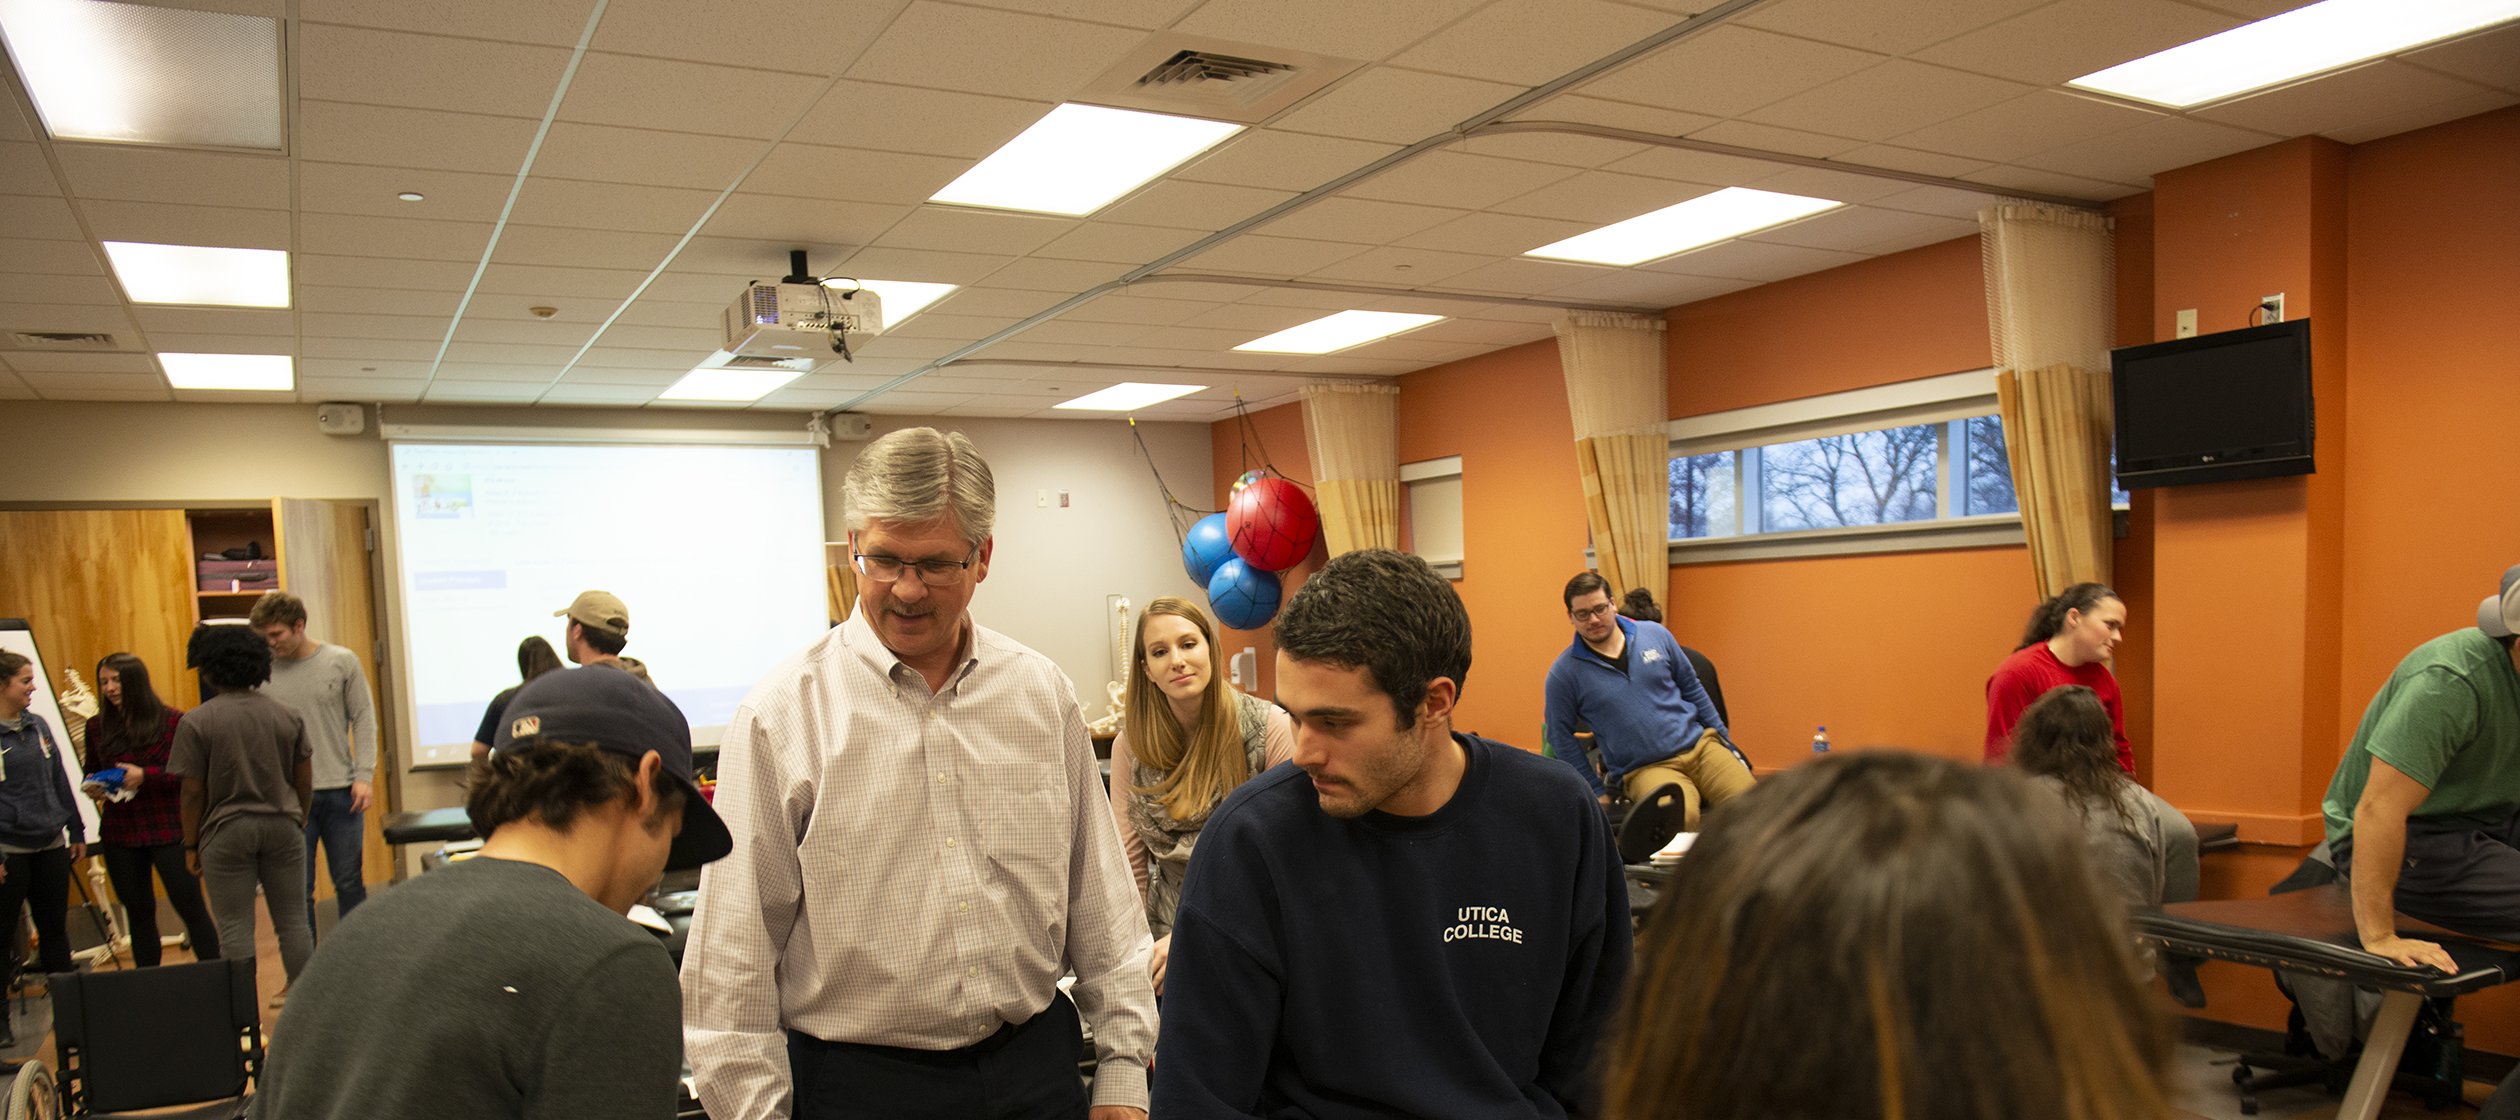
{"type": "Point", "coordinates": [1649, 715]}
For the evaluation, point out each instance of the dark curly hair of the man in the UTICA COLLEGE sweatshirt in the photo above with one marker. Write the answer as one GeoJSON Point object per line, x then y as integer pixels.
{"type": "Point", "coordinates": [1382, 612]}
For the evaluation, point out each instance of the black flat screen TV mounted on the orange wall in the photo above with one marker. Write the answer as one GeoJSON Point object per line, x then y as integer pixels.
{"type": "Point", "coordinates": [2219, 407]}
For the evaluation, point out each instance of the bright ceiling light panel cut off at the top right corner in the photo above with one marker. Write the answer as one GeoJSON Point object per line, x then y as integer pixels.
{"type": "Point", "coordinates": [2292, 47]}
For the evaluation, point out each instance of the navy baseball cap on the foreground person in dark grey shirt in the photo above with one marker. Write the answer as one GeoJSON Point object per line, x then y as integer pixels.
{"type": "Point", "coordinates": [621, 715]}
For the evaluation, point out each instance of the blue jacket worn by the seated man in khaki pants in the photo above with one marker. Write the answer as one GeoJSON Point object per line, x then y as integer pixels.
{"type": "Point", "coordinates": [1639, 718]}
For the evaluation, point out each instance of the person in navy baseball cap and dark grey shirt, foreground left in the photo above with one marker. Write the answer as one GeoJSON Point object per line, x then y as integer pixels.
{"type": "Point", "coordinates": [510, 985]}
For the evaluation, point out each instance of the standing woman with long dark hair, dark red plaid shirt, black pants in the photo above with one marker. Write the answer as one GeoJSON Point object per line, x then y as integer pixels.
{"type": "Point", "coordinates": [145, 834]}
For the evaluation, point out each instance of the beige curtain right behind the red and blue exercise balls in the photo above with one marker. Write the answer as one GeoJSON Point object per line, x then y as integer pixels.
{"type": "Point", "coordinates": [1354, 438]}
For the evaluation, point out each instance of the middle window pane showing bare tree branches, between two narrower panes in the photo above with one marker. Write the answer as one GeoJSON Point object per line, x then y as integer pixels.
{"type": "Point", "coordinates": [1864, 478]}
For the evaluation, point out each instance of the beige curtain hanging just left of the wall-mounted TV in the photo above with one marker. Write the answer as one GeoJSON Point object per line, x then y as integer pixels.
{"type": "Point", "coordinates": [2050, 306]}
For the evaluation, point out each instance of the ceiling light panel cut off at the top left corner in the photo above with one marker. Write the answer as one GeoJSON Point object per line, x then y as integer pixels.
{"type": "Point", "coordinates": [140, 74]}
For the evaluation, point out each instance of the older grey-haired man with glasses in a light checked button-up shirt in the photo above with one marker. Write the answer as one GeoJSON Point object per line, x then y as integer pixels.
{"type": "Point", "coordinates": [921, 851]}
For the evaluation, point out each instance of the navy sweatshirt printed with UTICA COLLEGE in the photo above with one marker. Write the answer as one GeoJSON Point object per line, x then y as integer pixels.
{"type": "Point", "coordinates": [1455, 965]}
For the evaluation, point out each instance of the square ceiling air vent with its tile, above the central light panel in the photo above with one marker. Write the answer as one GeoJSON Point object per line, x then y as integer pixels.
{"type": "Point", "coordinates": [1216, 79]}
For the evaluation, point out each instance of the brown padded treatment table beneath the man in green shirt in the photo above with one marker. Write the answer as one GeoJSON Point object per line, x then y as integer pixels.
{"type": "Point", "coordinates": [2312, 932]}
